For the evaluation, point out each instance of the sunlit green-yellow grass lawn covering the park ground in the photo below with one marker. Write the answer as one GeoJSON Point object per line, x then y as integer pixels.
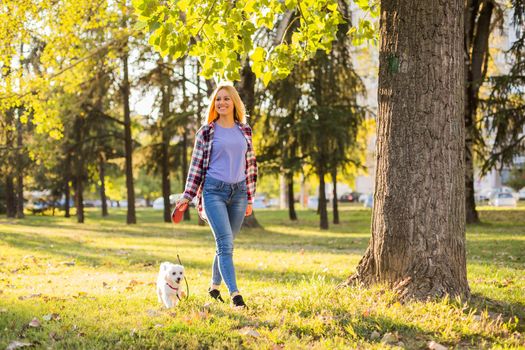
{"type": "Point", "coordinates": [92, 286]}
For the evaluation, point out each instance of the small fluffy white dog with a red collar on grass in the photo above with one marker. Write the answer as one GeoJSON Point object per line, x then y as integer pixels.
{"type": "Point", "coordinates": [169, 289]}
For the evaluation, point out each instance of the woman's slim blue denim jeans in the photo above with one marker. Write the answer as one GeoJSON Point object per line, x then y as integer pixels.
{"type": "Point", "coordinates": [225, 206]}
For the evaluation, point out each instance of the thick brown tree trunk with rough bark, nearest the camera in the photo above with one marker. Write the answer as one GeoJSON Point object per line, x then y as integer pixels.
{"type": "Point", "coordinates": [418, 223]}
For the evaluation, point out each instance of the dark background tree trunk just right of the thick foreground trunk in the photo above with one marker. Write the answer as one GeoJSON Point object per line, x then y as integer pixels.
{"type": "Point", "coordinates": [477, 32]}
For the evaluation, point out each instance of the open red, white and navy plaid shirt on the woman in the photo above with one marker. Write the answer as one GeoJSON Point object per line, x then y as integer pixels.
{"type": "Point", "coordinates": [200, 161]}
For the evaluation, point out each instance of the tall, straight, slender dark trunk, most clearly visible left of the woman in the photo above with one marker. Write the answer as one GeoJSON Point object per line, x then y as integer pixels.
{"type": "Point", "coordinates": [131, 217]}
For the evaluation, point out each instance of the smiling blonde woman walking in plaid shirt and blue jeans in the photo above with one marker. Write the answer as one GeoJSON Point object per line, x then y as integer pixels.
{"type": "Point", "coordinates": [223, 176]}
